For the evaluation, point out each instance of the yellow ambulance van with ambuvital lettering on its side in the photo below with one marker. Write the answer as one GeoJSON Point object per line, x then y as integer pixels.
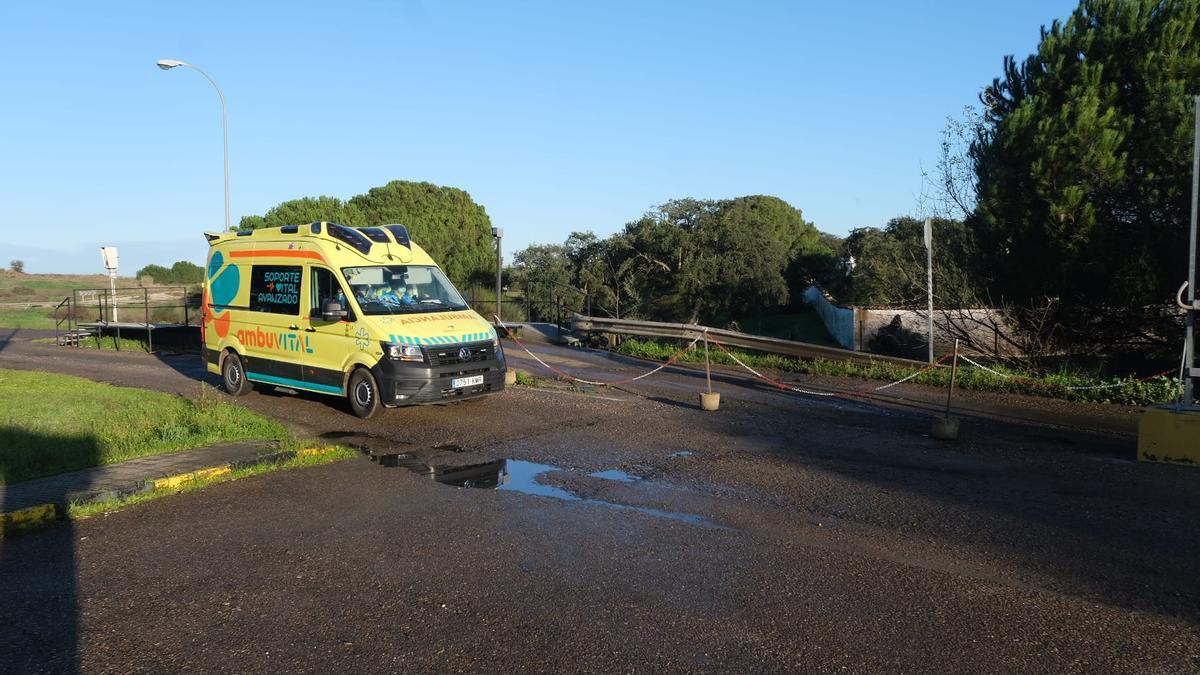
{"type": "Point", "coordinates": [361, 313]}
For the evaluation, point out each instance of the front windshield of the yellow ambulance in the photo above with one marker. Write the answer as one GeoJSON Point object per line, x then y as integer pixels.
{"type": "Point", "coordinates": [387, 290]}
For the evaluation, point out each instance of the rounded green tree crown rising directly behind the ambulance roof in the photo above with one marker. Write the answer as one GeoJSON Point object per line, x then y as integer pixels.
{"type": "Point", "coordinates": [446, 222]}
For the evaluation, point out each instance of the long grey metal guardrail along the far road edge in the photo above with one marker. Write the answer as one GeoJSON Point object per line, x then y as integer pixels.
{"type": "Point", "coordinates": [731, 338]}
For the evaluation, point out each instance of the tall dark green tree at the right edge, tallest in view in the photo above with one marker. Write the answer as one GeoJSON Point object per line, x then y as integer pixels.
{"type": "Point", "coordinates": [1084, 171]}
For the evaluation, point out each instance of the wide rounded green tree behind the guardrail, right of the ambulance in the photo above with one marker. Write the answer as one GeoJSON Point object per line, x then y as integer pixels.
{"type": "Point", "coordinates": [710, 260]}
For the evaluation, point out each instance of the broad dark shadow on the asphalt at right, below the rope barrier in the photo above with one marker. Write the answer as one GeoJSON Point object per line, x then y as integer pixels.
{"type": "Point", "coordinates": [1090, 525]}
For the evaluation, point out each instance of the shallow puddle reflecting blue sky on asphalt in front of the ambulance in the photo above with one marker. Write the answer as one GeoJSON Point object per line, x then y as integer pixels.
{"type": "Point", "coordinates": [519, 476]}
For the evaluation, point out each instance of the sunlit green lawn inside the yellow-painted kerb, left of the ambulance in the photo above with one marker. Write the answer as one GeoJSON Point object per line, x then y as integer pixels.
{"type": "Point", "coordinates": [55, 423]}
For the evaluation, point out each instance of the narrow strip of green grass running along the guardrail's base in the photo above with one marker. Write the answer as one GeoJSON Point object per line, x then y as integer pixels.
{"type": "Point", "coordinates": [1129, 391]}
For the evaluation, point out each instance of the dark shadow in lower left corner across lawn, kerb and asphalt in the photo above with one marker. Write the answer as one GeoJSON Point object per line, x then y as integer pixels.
{"type": "Point", "coordinates": [39, 578]}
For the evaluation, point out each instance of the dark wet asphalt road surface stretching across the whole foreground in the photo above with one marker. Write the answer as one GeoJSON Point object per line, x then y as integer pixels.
{"type": "Point", "coordinates": [782, 533]}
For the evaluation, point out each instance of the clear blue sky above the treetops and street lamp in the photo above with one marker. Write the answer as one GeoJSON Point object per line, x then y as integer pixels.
{"type": "Point", "coordinates": [556, 117]}
